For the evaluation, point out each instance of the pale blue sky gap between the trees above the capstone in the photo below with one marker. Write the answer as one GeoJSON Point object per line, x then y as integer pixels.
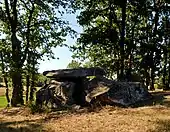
{"type": "Point", "coordinates": [62, 52]}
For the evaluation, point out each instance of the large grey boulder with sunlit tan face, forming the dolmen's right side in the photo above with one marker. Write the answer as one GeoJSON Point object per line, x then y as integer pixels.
{"type": "Point", "coordinates": [114, 92]}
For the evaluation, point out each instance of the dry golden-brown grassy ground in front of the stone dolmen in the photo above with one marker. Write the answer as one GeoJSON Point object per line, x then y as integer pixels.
{"type": "Point", "coordinates": [155, 118]}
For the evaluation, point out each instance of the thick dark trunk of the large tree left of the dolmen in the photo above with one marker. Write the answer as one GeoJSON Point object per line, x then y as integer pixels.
{"type": "Point", "coordinates": [17, 94]}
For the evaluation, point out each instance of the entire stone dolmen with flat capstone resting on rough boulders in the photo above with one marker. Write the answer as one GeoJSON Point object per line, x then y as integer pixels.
{"type": "Point", "coordinates": [75, 88]}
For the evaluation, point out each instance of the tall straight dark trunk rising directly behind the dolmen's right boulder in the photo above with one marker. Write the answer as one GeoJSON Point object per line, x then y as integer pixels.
{"type": "Point", "coordinates": [123, 39]}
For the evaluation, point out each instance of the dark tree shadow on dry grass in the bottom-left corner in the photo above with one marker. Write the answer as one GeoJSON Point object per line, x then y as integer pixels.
{"type": "Point", "coordinates": [21, 126]}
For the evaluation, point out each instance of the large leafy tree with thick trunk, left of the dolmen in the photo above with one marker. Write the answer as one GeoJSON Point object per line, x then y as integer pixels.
{"type": "Point", "coordinates": [24, 23]}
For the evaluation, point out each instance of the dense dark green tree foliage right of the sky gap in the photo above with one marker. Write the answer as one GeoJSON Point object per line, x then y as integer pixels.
{"type": "Point", "coordinates": [145, 48]}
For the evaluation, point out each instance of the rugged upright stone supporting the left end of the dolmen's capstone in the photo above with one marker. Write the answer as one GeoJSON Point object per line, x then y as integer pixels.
{"type": "Point", "coordinates": [55, 94]}
